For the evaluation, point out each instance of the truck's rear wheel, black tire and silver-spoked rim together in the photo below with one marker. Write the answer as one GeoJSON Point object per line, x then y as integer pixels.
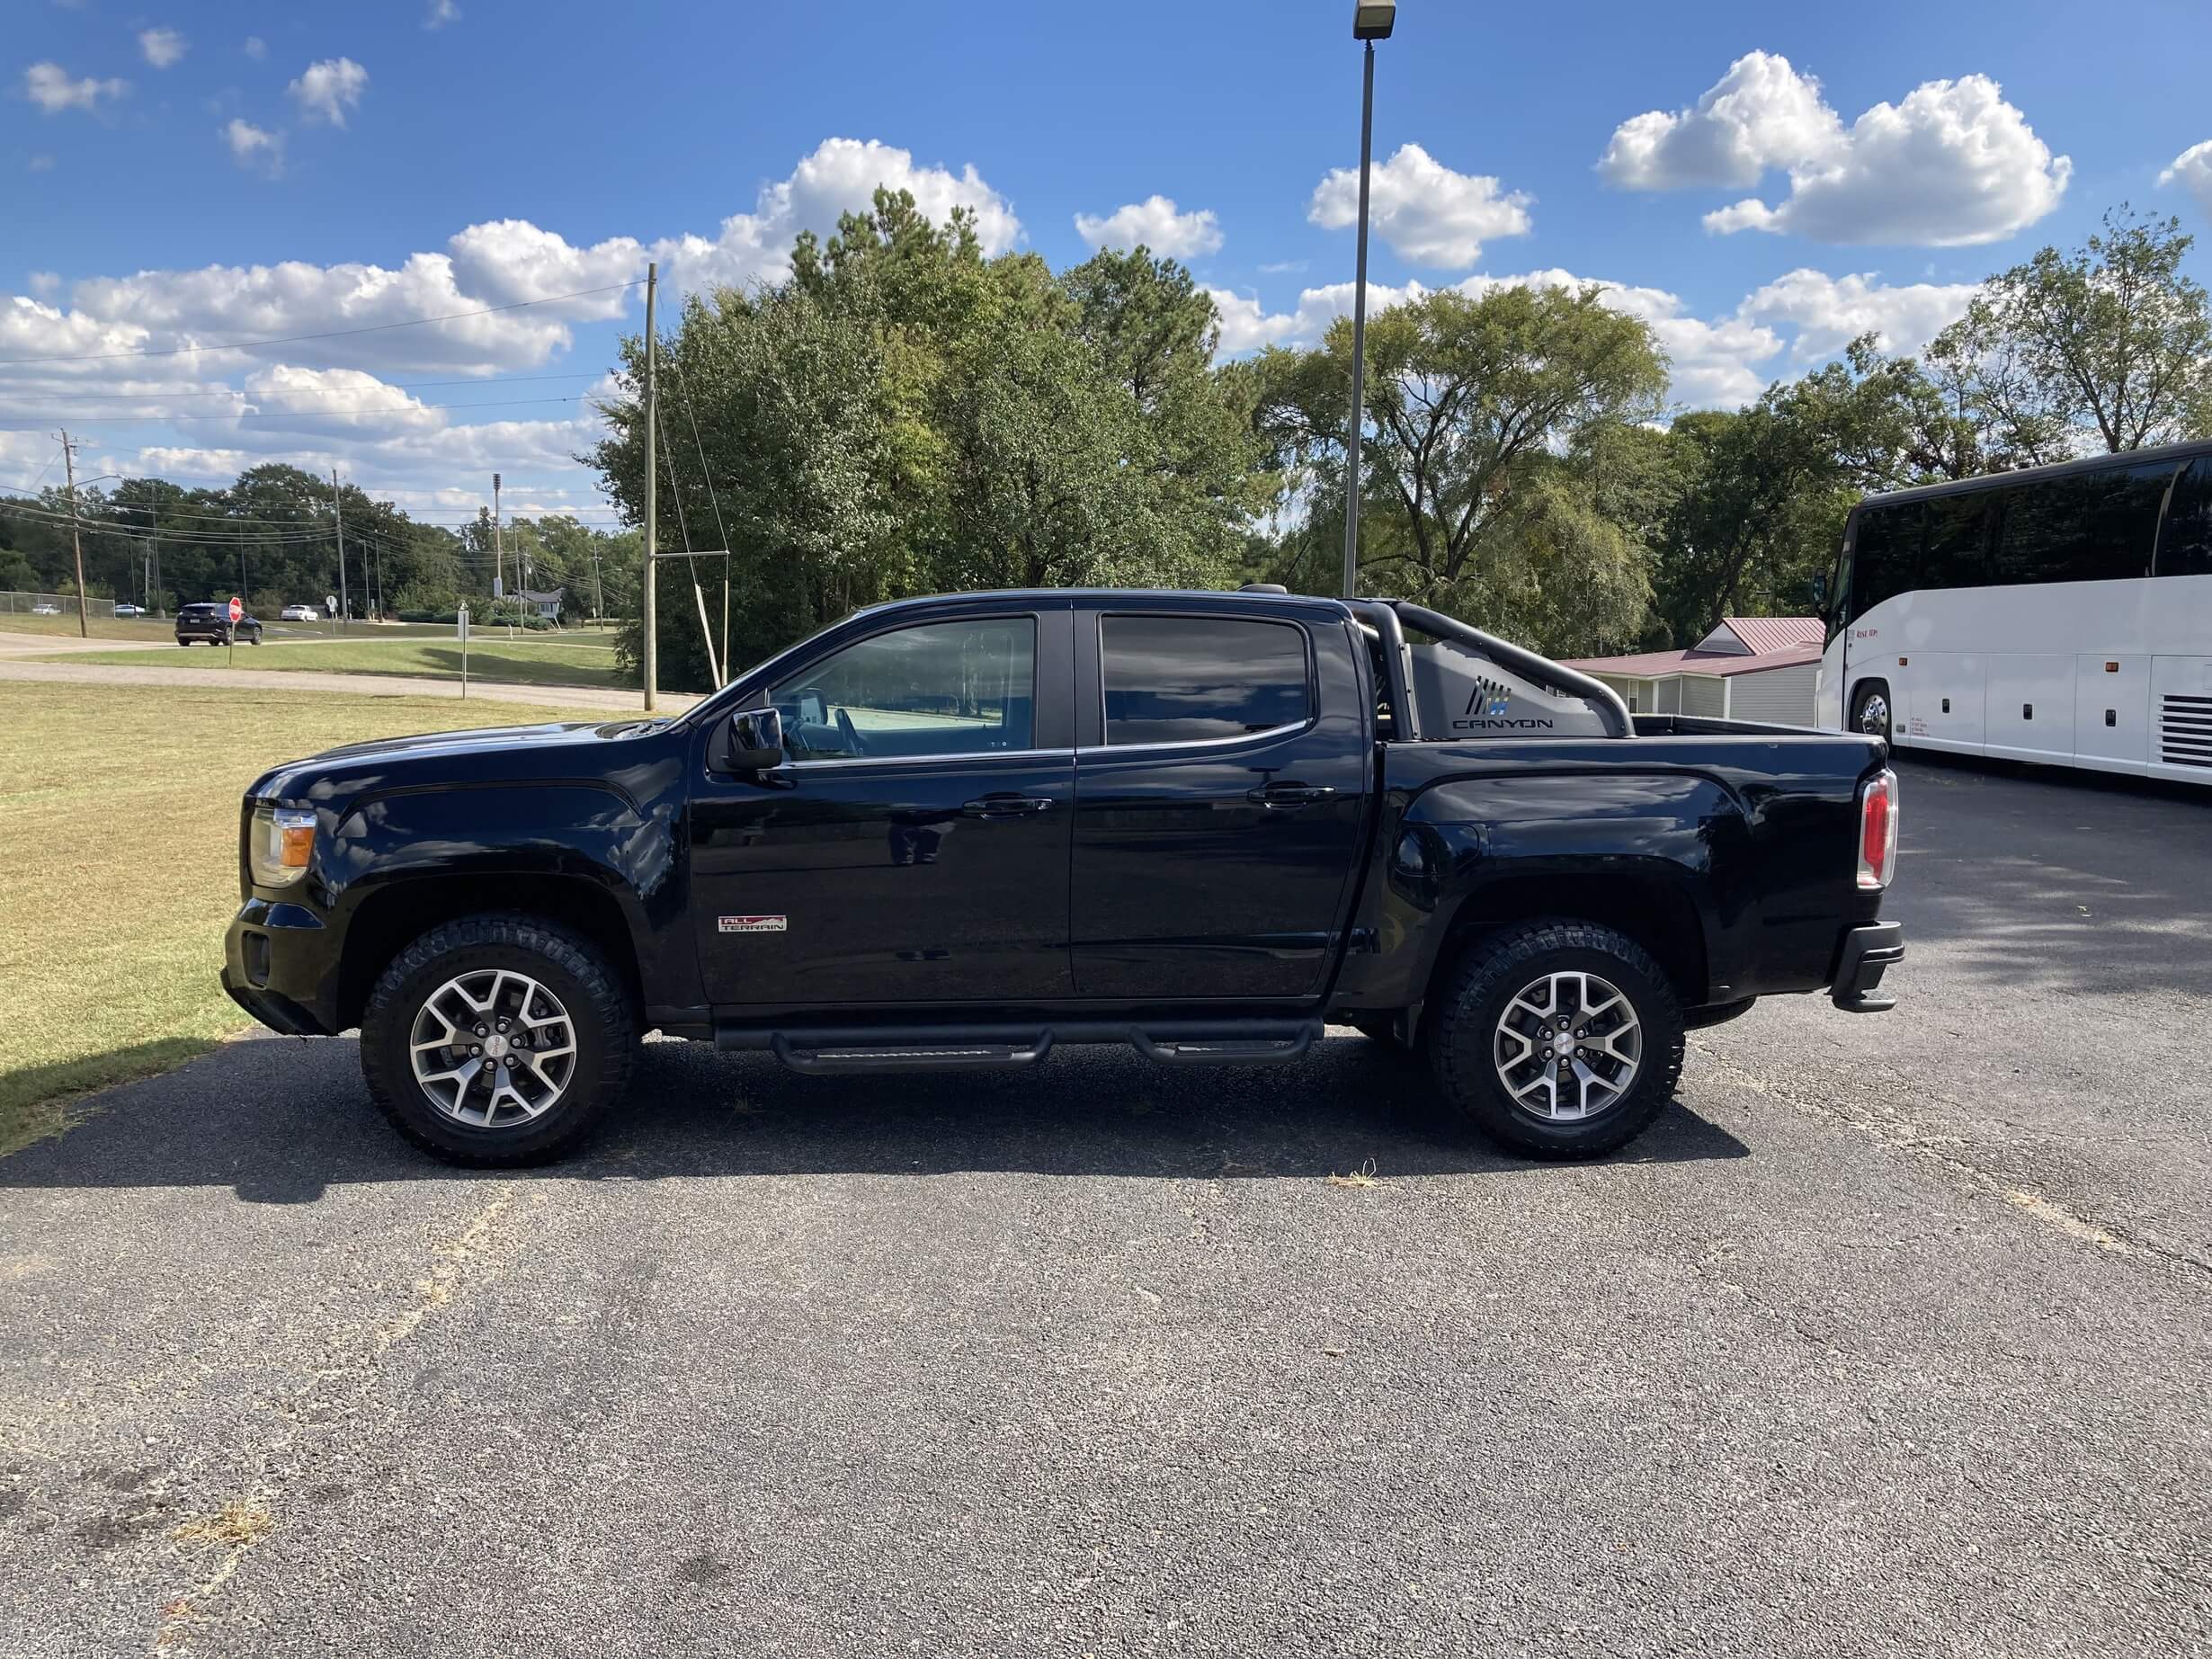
{"type": "Point", "coordinates": [1558, 1039]}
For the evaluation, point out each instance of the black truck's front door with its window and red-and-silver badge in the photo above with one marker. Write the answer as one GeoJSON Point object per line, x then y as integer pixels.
{"type": "Point", "coordinates": [915, 848]}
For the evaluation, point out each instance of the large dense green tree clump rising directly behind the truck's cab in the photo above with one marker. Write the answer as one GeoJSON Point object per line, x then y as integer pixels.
{"type": "Point", "coordinates": [908, 417]}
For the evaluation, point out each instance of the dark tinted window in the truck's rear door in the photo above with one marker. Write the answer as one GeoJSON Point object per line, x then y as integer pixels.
{"type": "Point", "coordinates": [1176, 680]}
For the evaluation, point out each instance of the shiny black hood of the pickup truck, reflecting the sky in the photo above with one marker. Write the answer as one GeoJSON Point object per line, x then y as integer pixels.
{"type": "Point", "coordinates": [483, 755]}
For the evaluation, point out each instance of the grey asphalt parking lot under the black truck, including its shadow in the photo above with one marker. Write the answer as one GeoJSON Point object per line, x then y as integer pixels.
{"type": "Point", "coordinates": [1888, 1342]}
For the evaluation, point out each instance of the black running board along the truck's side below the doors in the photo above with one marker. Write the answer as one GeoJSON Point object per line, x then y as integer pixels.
{"type": "Point", "coordinates": [1169, 1043]}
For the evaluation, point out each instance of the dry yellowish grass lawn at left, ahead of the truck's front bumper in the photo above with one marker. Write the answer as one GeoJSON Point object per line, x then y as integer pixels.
{"type": "Point", "coordinates": [121, 868]}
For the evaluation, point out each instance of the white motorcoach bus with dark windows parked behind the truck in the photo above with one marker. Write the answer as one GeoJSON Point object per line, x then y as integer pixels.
{"type": "Point", "coordinates": [2060, 616]}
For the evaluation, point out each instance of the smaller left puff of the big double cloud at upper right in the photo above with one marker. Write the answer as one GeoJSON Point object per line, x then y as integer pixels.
{"type": "Point", "coordinates": [1760, 116]}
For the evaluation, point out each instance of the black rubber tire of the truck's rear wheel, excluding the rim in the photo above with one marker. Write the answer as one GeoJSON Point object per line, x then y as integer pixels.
{"type": "Point", "coordinates": [1463, 1021]}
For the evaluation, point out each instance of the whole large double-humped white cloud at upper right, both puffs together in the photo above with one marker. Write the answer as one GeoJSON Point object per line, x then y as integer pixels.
{"type": "Point", "coordinates": [1950, 167]}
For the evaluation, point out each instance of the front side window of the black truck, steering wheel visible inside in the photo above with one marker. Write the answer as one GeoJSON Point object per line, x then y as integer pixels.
{"type": "Point", "coordinates": [941, 689]}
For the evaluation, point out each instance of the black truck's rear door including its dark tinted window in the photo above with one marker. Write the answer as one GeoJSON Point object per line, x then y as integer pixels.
{"type": "Point", "coordinates": [1222, 791]}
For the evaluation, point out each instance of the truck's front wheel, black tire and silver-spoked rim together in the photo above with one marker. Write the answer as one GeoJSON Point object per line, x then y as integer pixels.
{"type": "Point", "coordinates": [497, 1041]}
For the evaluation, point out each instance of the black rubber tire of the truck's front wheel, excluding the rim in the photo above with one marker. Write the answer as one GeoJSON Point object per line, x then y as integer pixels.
{"type": "Point", "coordinates": [567, 966]}
